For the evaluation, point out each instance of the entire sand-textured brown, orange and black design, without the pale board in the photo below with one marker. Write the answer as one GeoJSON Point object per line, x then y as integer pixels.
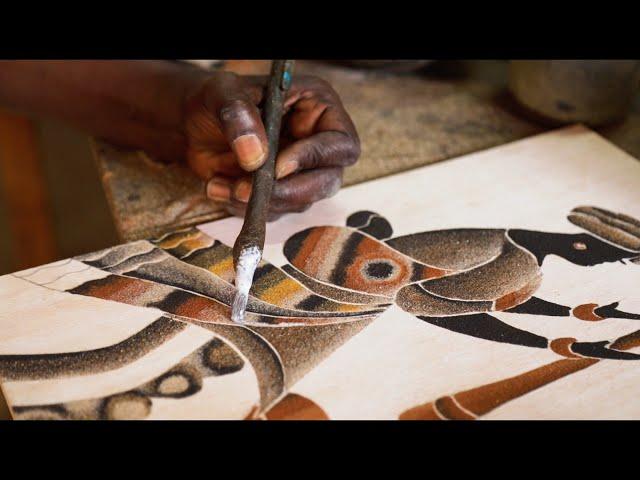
{"type": "Point", "coordinates": [449, 278]}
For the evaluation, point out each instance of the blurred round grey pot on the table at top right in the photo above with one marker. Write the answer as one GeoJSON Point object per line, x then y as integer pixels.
{"type": "Point", "coordinates": [594, 92]}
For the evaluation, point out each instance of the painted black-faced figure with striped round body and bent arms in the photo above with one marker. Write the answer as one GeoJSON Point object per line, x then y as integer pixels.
{"type": "Point", "coordinates": [454, 278]}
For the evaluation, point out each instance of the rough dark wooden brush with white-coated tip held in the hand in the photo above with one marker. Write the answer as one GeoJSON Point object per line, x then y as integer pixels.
{"type": "Point", "coordinates": [247, 251]}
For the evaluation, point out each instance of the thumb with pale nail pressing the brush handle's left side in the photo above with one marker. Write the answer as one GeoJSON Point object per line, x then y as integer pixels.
{"type": "Point", "coordinates": [233, 108]}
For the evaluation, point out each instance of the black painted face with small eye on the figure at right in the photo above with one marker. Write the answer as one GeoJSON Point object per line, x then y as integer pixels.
{"type": "Point", "coordinates": [542, 244]}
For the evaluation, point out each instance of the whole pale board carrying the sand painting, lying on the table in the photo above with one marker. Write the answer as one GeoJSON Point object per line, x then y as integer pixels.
{"type": "Point", "coordinates": [372, 356]}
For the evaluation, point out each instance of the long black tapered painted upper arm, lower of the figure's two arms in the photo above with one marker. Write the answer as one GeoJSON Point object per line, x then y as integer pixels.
{"type": "Point", "coordinates": [482, 325]}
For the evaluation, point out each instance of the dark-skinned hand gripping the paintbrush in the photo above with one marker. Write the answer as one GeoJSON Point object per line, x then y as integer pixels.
{"type": "Point", "coordinates": [226, 140]}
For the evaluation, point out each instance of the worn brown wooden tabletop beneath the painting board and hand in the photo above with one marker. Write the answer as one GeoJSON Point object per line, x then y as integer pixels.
{"type": "Point", "coordinates": [404, 121]}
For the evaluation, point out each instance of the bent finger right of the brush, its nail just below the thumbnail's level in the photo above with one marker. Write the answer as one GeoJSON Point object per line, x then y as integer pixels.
{"type": "Point", "coordinates": [325, 149]}
